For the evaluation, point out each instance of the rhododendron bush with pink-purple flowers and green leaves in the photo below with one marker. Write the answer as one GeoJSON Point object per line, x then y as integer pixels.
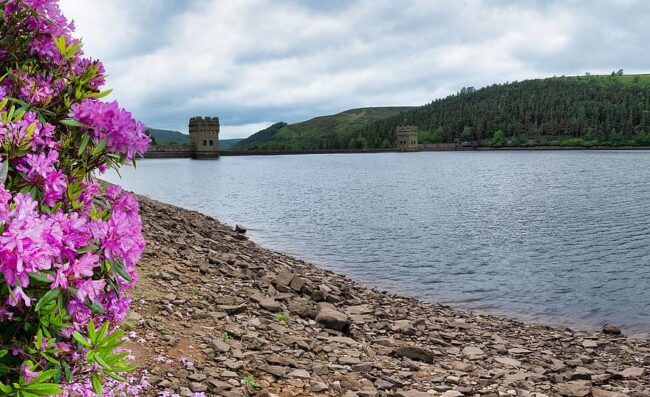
{"type": "Point", "coordinates": [68, 246]}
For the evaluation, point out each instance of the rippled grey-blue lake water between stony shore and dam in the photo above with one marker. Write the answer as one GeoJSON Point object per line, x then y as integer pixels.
{"type": "Point", "coordinates": [561, 237]}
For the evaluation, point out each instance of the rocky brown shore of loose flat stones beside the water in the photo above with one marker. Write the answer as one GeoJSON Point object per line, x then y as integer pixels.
{"type": "Point", "coordinates": [215, 313]}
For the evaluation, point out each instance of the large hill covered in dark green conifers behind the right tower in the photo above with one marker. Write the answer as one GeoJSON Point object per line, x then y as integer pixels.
{"type": "Point", "coordinates": [585, 110]}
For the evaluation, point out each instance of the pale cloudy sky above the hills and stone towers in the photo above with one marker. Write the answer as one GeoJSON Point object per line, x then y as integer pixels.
{"type": "Point", "coordinates": [255, 62]}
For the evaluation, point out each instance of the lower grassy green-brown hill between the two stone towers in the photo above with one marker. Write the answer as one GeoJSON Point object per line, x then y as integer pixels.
{"type": "Point", "coordinates": [326, 132]}
